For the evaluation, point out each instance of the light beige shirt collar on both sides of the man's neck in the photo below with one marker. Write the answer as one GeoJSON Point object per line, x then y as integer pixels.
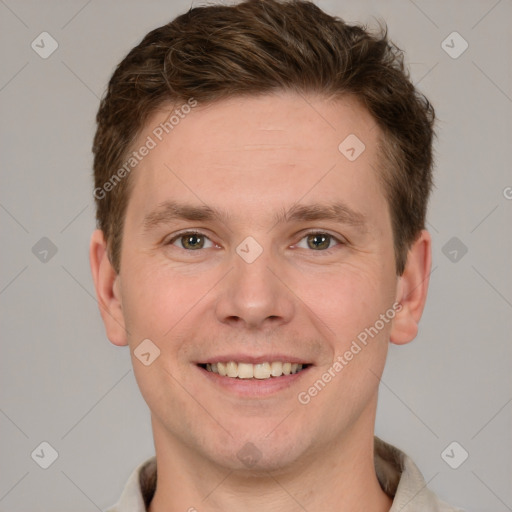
{"type": "Point", "coordinates": [397, 474]}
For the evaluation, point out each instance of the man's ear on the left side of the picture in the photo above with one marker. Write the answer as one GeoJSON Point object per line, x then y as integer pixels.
{"type": "Point", "coordinates": [106, 283]}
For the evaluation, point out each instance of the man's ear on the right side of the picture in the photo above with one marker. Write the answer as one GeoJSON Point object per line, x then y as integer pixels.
{"type": "Point", "coordinates": [412, 290]}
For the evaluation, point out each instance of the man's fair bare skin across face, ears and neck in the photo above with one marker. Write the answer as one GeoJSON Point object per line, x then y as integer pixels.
{"type": "Point", "coordinates": [254, 158]}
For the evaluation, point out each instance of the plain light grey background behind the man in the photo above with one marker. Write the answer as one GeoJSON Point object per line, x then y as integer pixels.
{"type": "Point", "coordinates": [64, 383]}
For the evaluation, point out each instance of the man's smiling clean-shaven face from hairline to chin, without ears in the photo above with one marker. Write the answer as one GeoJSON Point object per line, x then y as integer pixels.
{"type": "Point", "coordinates": [250, 238]}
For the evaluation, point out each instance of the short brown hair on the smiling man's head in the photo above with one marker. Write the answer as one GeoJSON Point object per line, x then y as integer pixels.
{"type": "Point", "coordinates": [215, 52]}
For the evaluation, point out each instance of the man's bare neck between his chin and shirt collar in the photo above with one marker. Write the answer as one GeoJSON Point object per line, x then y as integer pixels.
{"type": "Point", "coordinates": [340, 477]}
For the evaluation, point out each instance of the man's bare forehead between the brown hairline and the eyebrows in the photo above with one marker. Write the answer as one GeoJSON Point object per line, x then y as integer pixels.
{"type": "Point", "coordinates": [276, 150]}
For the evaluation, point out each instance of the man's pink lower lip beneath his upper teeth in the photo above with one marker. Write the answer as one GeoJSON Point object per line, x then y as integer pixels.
{"type": "Point", "coordinates": [254, 387]}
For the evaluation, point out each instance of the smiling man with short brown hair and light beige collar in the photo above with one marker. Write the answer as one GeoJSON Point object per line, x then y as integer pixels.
{"type": "Point", "coordinates": [262, 173]}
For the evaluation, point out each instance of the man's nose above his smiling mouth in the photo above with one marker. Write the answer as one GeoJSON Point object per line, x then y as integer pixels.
{"type": "Point", "coordinates": [254, 296]}
